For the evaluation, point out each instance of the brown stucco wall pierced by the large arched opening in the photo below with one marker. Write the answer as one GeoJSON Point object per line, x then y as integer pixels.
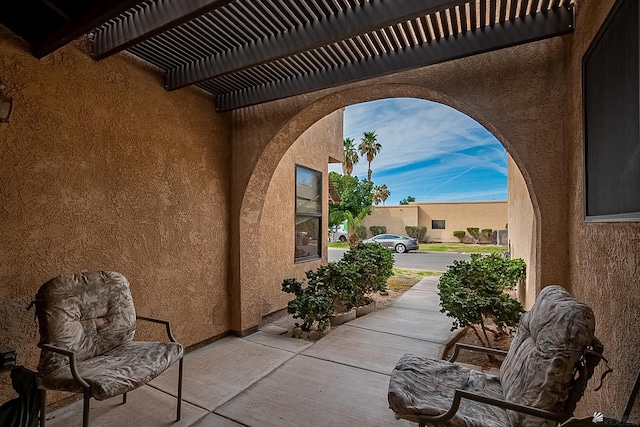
{"type": "Point", "coordinates": [512, 92]}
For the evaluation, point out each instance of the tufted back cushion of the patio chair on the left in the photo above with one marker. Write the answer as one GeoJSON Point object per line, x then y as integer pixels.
{"type": "Point", "coordinates": [87, 313]}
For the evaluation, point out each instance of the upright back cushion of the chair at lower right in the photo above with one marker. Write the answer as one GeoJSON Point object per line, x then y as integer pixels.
{"type": "Point", "coordinates": [549, 342]}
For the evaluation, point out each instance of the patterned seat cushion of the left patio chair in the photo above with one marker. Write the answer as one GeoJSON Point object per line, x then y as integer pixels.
{"type": "Point", "coordinates": [120, 370]}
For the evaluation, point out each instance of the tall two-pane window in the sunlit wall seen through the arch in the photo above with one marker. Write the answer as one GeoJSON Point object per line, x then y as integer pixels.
{"type": "Point", "coordinates": [308, 214]}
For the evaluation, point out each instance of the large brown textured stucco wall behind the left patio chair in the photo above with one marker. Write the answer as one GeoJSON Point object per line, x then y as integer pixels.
{"type": "Point", "coordinates": [103, 169]}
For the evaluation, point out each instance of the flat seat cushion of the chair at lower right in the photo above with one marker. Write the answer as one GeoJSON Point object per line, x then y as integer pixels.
{"type": "Point", "coordinates": [423, 386]}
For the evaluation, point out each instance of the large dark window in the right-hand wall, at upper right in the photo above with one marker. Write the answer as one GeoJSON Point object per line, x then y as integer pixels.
{"type": "Point", "coordinates": [611, 88]}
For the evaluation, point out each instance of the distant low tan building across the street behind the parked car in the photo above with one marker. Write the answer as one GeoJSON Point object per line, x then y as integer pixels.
{"type": "Point", "coordinates": [440, 218]}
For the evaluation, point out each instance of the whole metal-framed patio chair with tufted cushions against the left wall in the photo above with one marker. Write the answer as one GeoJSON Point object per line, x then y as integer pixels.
{"type": "Point", "coordinates": [87, 322]}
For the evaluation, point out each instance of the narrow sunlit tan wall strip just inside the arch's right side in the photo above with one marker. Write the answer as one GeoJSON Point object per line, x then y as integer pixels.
{"type": "Point", "coordinates": [522, 231]}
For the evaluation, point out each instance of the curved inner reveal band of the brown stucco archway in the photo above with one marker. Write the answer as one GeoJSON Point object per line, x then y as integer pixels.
{"type": "Point", "coordinates": [247, 289]}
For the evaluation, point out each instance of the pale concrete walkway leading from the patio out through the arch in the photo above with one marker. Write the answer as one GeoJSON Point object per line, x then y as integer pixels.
{"type": "Point", "coordinates": [267, 379]}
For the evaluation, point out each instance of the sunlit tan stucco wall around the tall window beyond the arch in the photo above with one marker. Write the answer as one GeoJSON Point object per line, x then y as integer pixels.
{"type": "Point", "coordinates": [277, 225]}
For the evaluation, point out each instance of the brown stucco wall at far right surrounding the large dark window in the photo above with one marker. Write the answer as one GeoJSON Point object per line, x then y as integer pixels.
{"type": "Point", "coordinates": [604, 257]}
